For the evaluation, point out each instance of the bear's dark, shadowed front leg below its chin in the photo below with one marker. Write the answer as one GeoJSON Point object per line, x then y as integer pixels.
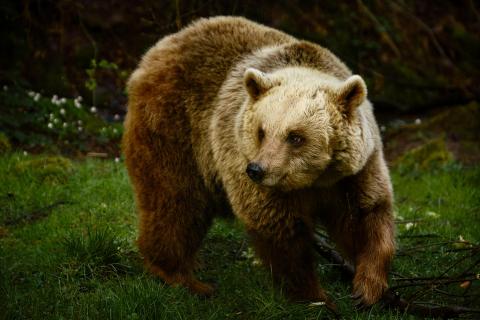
{"type": "Point", "coordinates": [289, 256]}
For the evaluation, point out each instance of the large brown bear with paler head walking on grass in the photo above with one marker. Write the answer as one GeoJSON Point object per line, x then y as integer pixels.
{"type": "Point", "coordinates": [228, 114]}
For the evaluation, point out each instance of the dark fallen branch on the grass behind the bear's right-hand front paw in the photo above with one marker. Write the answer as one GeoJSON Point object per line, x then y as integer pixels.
{"type": "Point", "coordinates": [391, 298]}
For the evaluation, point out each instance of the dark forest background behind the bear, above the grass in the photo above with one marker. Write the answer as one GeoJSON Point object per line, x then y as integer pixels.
{"type": "Point", "coordinates": [418, 57]}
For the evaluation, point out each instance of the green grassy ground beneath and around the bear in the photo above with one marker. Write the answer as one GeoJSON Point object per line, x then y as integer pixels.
{"type": "Point", "coordinates": [67, 248]}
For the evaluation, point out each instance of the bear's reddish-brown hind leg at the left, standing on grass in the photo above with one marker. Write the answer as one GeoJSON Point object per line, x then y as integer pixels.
{"type": "Point", "coordinates": [173, 203]}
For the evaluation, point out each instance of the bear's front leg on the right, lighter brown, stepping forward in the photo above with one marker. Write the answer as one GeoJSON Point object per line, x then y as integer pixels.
{"type": "Point", "coordinates": [365, 233]}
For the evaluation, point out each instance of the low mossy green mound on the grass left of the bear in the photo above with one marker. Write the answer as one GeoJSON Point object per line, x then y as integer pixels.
{"type": "Point", "coordinates": [54, 169]}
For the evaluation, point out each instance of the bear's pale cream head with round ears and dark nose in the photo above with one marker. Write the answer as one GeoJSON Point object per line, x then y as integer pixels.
{"type": "Point", "coordinates": [299, 127]}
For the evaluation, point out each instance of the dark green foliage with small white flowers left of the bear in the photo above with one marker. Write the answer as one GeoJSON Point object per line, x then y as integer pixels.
{"type": "Point", "coordinates": [35, 122]}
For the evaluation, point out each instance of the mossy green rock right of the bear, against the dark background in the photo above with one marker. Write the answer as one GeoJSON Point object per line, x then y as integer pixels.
{"type": "Point", "coordinates": [432, 154]}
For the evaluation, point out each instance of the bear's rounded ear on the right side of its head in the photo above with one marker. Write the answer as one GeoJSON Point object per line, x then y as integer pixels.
{"type": "Point", "coordinates": [352, 94]}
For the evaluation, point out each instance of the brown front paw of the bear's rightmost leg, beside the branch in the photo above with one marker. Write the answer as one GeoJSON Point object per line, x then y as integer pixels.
{"type": "Point", "coordinates": [367, 290]}
